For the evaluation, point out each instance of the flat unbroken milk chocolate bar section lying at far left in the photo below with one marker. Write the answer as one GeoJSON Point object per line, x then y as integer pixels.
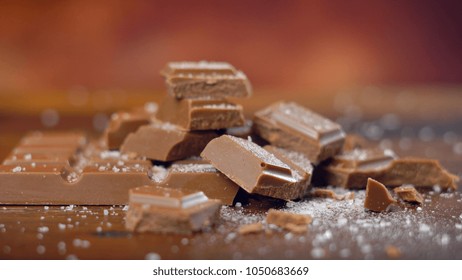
{"type": "Point", "coordinates": [91, 178]}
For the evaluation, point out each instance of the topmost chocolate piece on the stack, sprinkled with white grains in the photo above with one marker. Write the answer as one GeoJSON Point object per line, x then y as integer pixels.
{"type": "Point", "coordinates": [205, 80]}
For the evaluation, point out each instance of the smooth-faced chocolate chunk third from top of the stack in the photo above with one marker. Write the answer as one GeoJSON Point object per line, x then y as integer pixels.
{"type": "Point", "coordinates": [166, 142]}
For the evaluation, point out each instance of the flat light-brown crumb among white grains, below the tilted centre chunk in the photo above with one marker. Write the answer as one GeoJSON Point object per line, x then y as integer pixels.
{"type": "Point", "coordinates": [294, 222]}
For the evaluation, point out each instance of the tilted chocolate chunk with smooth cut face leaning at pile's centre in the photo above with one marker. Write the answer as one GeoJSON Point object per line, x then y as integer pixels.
{"type": "Point", "coordinates": [253, 168]}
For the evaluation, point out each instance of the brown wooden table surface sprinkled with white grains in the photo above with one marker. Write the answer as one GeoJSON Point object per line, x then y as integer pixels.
{"type": "Point", "coordinates": [421, 121]}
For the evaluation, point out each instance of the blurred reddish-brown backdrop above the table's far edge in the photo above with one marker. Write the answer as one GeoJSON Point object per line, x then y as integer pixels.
{"type": "Point", "coordinates": [278, 44]}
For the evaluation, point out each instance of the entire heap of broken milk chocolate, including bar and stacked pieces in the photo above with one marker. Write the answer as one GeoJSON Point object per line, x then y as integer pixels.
{"type": "Point", "coordinates": [176, 163]}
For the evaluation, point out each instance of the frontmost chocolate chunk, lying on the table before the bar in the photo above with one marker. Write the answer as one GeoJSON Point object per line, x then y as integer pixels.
{"type": "Point", "coordinates": [155, 209]}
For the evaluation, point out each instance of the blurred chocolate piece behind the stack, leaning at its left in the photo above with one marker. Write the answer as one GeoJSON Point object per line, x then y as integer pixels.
{"type": "Point", "coordinates": [124, 123]}
